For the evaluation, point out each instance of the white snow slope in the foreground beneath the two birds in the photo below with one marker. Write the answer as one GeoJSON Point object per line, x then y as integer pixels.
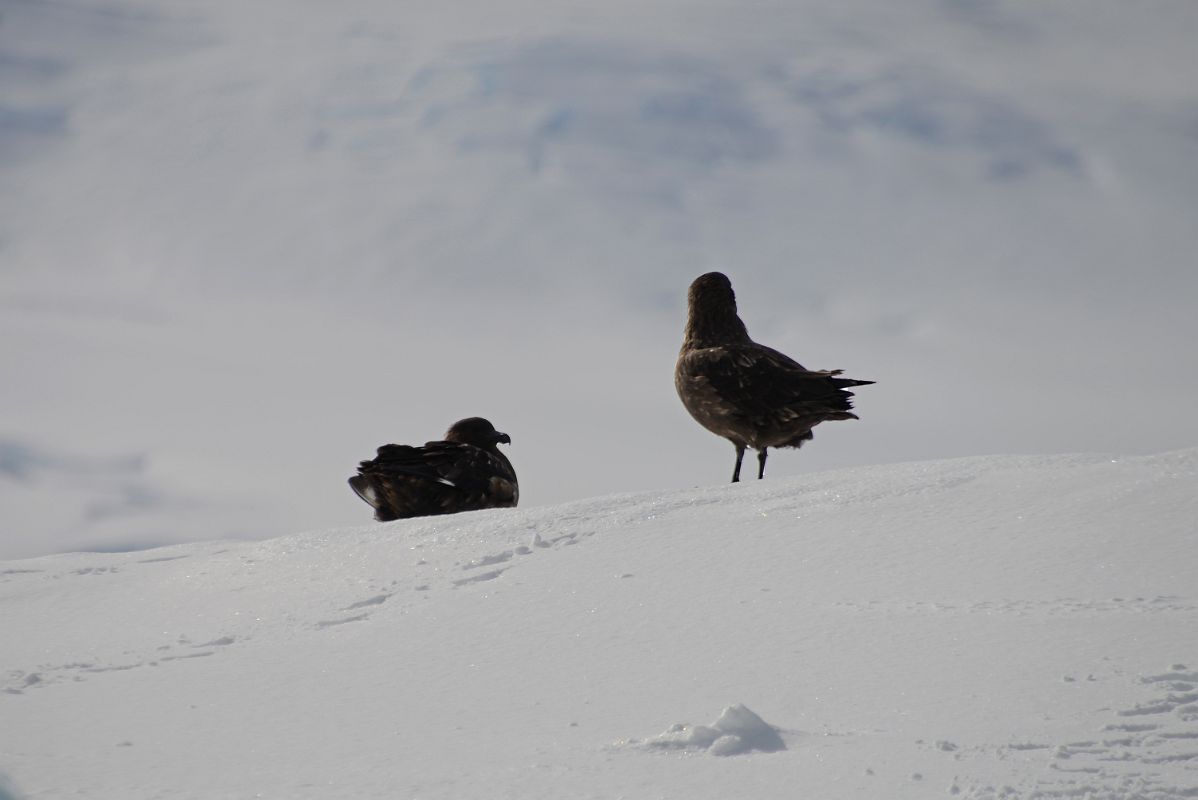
{"type": "Point", "coordinates": [1007, 627]}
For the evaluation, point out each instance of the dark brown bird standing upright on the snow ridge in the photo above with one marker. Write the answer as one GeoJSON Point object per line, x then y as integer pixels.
{"type": "Point", "coordinates": [751, 395]}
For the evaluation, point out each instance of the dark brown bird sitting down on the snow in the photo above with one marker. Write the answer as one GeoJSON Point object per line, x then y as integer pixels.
{"type": "Point", "coordinates": [464, 472]}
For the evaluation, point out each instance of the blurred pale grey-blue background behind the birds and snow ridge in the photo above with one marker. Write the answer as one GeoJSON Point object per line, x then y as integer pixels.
{"type": "Point", "coordinates": [241, 246]}
